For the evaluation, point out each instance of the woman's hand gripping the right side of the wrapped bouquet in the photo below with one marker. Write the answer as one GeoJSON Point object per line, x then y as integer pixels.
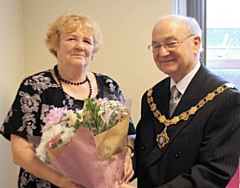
{"type": "Point", "coordinates": [128, 167]}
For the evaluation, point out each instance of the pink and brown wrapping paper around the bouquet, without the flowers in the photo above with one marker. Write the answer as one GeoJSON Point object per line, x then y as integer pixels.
{"type": "Point", "coordinates": [94, 162]}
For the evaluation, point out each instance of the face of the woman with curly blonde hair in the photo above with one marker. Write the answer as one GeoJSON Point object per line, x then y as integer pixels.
{"type": "Point", "coordinates": [75, 49]}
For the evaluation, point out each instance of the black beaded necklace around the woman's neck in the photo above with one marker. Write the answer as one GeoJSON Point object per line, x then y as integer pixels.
{"type": "Point", "coordinates": [60, 80]}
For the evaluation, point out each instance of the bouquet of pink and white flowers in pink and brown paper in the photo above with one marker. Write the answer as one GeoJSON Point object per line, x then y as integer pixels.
{"type": "Point", "coordinates": [93, 139]}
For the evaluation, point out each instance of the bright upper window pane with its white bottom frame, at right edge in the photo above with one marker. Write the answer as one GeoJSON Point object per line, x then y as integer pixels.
{"type": "Point", "coordinates": [223, 34]}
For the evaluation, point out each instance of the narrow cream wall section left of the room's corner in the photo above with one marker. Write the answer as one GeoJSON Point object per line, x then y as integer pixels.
{"type": "Point", "coordinates": [11, 72]}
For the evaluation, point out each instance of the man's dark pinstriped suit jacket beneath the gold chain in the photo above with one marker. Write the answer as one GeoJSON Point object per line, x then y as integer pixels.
{"type": "Point", "coordinates": [203, 151]}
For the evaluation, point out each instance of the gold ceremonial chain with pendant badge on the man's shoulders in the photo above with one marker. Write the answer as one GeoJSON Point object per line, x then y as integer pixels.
{"type": "Point", "coordinates": [162, 138]}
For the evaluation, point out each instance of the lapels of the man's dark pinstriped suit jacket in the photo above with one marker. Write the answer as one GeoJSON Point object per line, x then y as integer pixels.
{"type": "Point", "coordinates": [190, 98]}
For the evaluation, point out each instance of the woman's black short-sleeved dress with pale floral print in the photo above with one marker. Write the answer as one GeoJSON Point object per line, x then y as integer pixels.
{"type": "Point", "coordinates": [38, 94]}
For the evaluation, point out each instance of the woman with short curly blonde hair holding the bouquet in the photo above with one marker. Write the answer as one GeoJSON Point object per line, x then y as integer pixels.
{"type": "Point", "coordinates": [73, 39]}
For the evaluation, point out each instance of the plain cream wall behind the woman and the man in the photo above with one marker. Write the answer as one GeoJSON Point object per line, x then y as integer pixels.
{"type": "Point", "coordinates": [126, 27]}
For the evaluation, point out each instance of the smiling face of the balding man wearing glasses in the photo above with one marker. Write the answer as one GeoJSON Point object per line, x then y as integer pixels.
{"type": "Point", "coordinates": [175, 51]}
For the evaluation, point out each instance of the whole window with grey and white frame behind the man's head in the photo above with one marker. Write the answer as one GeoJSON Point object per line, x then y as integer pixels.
{"type": "Point", "coordinates": [221, 34]}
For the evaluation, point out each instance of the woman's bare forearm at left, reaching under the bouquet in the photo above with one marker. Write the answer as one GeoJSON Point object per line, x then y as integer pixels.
{"type": "Point", "coordinates": [24, 156]}
